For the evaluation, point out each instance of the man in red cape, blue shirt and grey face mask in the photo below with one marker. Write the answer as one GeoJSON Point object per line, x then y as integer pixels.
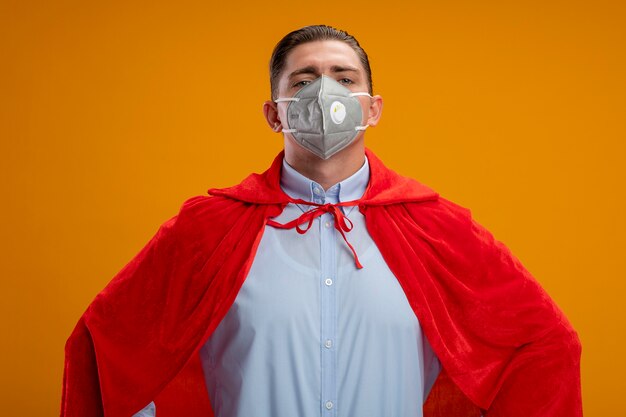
{"type": "Point", "coordinates": [385, 288]}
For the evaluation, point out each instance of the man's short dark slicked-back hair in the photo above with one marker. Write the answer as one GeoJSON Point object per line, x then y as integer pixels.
{"type": "Point", "coordinates": [312, 34]}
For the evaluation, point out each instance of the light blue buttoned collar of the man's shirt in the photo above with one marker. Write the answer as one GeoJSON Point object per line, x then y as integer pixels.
{"type": "Point", "coordinates": [296, 185]}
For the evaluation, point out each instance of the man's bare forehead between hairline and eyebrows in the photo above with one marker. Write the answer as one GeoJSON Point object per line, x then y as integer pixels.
{"type": "Point", "coordinates": [322, 55]}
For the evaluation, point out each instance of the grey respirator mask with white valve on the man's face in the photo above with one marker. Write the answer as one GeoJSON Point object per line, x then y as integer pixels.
{"type": "Point", "coordinates": [324, 116]}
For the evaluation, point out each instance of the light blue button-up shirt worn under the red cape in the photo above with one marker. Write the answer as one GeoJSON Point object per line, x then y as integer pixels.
{"type": "Point", "coordinates": [309, 334]}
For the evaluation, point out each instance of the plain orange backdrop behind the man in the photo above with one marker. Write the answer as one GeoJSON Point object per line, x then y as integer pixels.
{"type": "Point", "coordinates": [112, 114]}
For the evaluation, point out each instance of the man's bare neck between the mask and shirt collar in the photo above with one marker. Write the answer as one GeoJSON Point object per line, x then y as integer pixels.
{"type": "Point", "coordinates": [330, 171]}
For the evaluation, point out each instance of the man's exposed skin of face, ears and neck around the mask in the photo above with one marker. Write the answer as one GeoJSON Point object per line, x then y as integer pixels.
{"type": "Point", "coordinates": [303, 64]}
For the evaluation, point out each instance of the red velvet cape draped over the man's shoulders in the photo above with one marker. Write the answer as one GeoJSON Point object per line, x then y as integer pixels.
{"type": "Point", "coordinates": [503, 343]}
